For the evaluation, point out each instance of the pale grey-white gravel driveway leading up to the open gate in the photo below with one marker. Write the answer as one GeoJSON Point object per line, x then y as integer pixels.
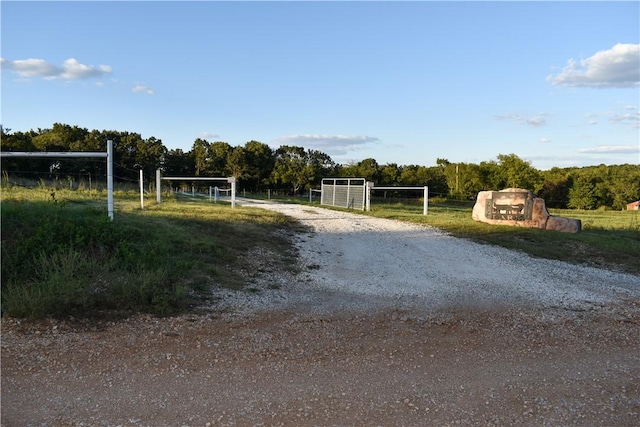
{"type": "Point", "coordinates": [356, 261]}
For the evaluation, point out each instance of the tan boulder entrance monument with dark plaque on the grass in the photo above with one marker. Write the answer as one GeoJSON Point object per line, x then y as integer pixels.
{"type": "Point", "coordinates": [518, 207]}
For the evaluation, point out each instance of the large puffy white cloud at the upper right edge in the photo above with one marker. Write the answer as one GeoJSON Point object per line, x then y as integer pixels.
{"type": "Point", "coordinates": [616, 67]}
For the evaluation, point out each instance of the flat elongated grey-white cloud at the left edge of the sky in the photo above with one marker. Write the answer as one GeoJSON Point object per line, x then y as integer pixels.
{"type": "Point", "coordinates": [70, 69]}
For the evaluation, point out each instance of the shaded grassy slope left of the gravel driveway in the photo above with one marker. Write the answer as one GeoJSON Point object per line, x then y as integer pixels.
{"type": "Point", "coordinates": [62, 256]}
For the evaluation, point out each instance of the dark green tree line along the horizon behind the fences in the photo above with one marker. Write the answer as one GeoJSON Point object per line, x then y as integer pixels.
{"type": "Point", "coordinates": [258, 167]}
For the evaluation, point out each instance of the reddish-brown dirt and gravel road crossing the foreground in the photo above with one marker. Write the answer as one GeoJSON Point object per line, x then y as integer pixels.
{"type": "Point", "coordinates": [455, 367]}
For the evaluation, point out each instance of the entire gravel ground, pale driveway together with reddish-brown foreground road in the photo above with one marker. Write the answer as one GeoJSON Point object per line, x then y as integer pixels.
{"type": "Point", "coordinates": [388, 324]}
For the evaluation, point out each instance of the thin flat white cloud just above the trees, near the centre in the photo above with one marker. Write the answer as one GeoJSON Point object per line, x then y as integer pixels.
{"type": "Point", "coordinates": [331, 144]}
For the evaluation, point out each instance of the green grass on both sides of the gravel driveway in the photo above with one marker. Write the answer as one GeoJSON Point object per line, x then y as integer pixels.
{"type": "Point", "coordinates": [61, 255]}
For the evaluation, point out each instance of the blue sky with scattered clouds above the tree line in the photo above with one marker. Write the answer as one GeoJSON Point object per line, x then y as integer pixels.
{"type": "Point", "coordinates": [556, 83]}
